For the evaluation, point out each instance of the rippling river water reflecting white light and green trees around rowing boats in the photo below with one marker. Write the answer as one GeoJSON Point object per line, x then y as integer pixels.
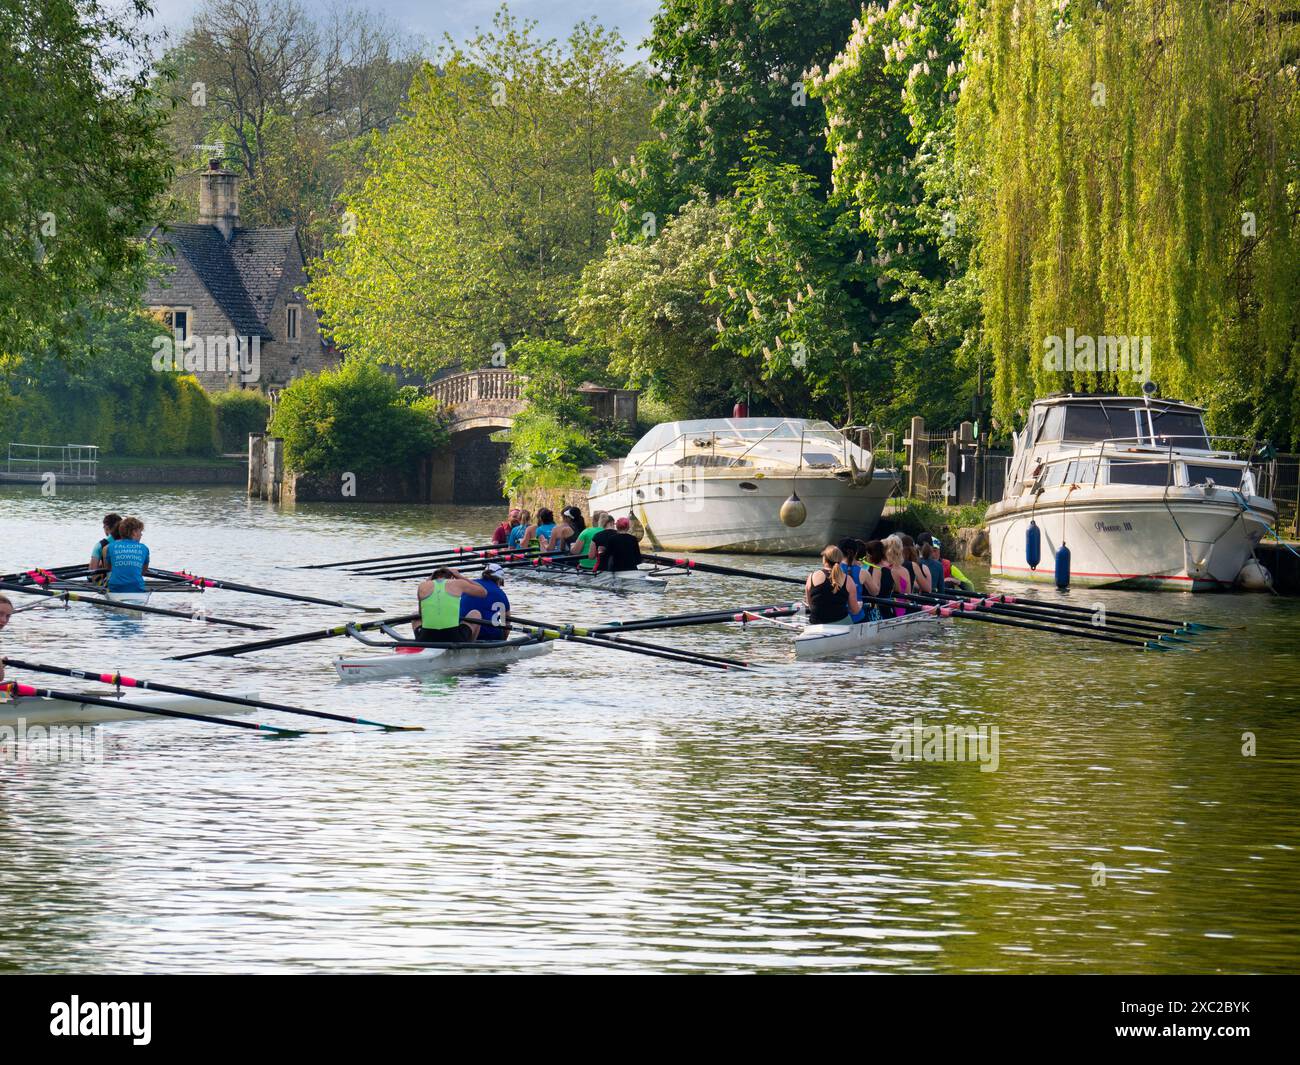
{"type": "Point", "coordinates": [597, 811]}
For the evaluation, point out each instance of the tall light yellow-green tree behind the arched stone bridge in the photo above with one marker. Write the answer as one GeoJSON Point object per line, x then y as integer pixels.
{"type": "Point", "coordinates": [479, 211]}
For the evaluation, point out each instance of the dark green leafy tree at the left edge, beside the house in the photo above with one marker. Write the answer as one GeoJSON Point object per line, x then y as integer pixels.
{"type": "Point", "coordinates": [83, 168]}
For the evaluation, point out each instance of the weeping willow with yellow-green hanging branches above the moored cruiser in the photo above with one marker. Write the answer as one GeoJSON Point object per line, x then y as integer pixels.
{"type": "Point", "coordinates": [1134, 168]}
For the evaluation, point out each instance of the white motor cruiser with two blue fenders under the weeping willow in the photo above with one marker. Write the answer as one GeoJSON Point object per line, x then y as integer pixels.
{"type": "Point", "coordinates": [1137, 493]}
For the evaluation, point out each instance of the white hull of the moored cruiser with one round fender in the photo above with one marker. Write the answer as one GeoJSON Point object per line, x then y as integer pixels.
{"type": "Point", "coordinates": [716, 514]}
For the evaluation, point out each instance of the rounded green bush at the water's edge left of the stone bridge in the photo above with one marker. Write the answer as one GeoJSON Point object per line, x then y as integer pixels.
{"type": "Point", "coordinates": [354, 419]}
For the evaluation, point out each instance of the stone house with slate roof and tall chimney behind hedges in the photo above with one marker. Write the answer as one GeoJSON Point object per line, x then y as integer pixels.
{"type": "Point", "coordinates": [233, 302]}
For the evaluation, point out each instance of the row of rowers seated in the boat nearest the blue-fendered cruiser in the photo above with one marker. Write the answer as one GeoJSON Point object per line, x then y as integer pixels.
{"type": "Point", "coordinates": [881, 570]}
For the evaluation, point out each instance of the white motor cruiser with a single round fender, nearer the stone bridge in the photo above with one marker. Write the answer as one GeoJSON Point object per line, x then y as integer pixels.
{"type": "Point", "coordinates": [727, 486]}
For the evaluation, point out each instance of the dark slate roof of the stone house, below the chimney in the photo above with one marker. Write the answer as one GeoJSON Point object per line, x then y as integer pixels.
{"type": "Point", "coordinates": [242, 275]}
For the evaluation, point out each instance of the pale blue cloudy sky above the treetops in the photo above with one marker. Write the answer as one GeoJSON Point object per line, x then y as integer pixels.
{"type": "Point", "coordinates": [432, 19]}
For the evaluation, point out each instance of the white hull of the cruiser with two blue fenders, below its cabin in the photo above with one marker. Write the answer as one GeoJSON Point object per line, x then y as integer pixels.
{"type": "Point", "coordinates": [1185, 543]}
